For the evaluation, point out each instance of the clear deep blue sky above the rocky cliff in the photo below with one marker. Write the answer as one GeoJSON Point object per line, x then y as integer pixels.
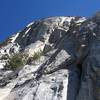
{"type": "Point", "coordinates": [16, 14]}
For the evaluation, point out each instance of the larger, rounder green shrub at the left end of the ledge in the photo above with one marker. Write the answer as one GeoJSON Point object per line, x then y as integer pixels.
{"type": "Point", "coordinates": [16, 61]}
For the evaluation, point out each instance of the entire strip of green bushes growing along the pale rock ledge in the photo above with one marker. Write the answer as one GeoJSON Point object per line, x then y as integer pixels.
{"type": "Point", "coordinates": [17, 61]}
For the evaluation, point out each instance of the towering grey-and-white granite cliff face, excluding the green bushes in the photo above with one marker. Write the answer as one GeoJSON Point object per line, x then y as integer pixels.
{"type": "Point", "coordinates": [69, 68]}
